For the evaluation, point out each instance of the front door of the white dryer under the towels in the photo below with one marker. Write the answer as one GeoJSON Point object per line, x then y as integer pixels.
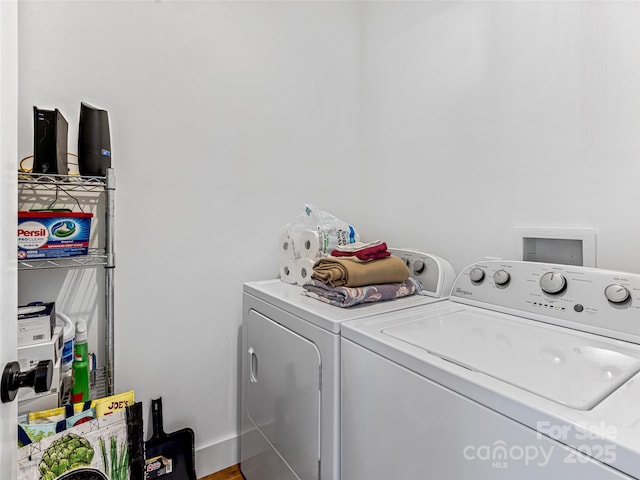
{"type": "Point", "coordinates": [283, 392]}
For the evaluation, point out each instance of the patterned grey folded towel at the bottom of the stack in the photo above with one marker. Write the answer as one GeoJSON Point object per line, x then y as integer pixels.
{"type": "Point", "coordinates": [350, 296]}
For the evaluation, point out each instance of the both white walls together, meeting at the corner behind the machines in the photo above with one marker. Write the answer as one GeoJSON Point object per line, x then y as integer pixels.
{"type": "Point", "coordinates": [435, 125]}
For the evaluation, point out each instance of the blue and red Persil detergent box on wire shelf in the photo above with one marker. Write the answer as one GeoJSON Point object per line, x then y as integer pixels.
{"type": "Point", "coordinates": [47, 234]}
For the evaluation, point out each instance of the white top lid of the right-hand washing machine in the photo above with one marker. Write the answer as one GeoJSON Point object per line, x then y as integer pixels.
{"type": "Point", "coordinates": [575, 370]}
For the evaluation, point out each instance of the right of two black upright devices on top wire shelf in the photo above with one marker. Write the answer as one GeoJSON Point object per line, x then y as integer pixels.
{"type": "Point", "coordinates": [94, 141]}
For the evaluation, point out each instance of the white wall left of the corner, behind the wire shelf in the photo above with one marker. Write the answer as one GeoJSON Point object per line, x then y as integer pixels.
{"type": "Point", "coordinates": [226, 118]}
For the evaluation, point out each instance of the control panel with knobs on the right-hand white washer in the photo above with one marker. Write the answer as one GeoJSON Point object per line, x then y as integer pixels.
{"type": "Point", "coordinates": [599, 301]}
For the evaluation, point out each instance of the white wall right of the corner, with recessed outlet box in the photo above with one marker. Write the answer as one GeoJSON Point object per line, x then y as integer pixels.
{"type": "Point", "coordinates": [481, 116]}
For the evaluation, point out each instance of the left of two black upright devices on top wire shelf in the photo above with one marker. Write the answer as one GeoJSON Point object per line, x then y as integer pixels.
{"type": "Point", "coordinates": [50, 132]}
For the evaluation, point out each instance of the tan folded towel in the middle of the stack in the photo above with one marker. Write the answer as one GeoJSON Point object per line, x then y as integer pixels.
{"type": "Point", "coordinates": [348, 272]}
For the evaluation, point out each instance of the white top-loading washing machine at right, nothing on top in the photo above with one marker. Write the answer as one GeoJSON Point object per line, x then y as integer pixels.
{"type": "Point", "coordinates": [527, 371]}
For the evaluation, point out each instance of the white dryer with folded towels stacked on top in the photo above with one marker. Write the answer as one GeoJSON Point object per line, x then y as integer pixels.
{"type": "Point", "coordinates": [290, 386]}
